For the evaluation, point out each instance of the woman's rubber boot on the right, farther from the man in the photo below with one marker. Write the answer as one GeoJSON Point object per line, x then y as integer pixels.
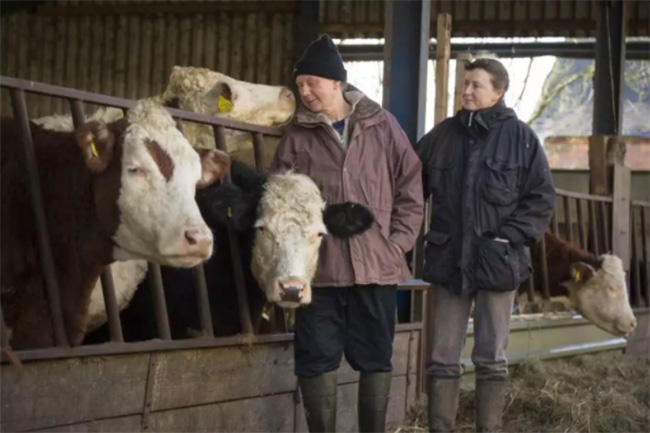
{"type": "Point", "coordinates": [490, 400]}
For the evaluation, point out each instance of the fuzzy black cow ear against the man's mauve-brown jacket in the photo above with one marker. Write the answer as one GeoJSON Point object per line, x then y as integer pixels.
{"type": "Point", "coordinates": [344, 220]}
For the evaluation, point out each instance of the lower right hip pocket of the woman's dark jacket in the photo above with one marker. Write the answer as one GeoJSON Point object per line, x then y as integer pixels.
{"type": "Point", "coordinates": [496, 266]}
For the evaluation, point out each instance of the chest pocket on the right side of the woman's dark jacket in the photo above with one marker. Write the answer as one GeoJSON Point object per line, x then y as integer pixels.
{"type": "Point", "coordinates": [499, 184]}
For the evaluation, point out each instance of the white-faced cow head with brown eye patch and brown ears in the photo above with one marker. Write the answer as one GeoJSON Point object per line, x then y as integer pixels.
{"type": "Point", "coordinates": [145, 179]}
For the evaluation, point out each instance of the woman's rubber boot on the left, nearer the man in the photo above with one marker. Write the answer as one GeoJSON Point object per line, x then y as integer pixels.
{"type": "Point", "coordinates": [443, 403]}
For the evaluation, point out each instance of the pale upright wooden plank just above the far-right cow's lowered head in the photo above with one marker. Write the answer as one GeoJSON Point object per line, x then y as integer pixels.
{"type": "Point", "coordinates": [621, 214]}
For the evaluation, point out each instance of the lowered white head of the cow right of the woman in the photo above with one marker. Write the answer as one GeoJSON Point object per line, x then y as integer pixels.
{"type": "Point", "coordinates": [600, 294]}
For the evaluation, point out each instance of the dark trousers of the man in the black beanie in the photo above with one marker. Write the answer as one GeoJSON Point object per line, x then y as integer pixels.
{"type": "Point", "coordinates": [358, 321]}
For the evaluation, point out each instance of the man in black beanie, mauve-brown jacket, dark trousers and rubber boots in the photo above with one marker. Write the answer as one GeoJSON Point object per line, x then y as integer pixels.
{"type": "Point", "coordinates": [355, 151]}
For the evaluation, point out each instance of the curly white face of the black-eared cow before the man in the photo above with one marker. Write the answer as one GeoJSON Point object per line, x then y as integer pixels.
{"type": "Point", "coordinates": [289, 228]}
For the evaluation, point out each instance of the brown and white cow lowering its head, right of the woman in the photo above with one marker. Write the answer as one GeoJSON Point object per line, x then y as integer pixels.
{"type": "Point", "coordinates": [595, 286]}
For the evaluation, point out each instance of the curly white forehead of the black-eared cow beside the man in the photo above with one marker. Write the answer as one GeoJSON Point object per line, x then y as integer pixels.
{"type": "Point", "coordinates": [294, 196]}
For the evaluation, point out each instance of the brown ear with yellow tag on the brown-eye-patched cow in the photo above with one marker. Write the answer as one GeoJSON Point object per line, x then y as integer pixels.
{"type": "Point", "coordinates": [96, 142]}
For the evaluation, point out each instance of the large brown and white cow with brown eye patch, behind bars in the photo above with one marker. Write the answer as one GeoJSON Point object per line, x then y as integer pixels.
{"type": "Point", "coordinates": [118, 191]}
